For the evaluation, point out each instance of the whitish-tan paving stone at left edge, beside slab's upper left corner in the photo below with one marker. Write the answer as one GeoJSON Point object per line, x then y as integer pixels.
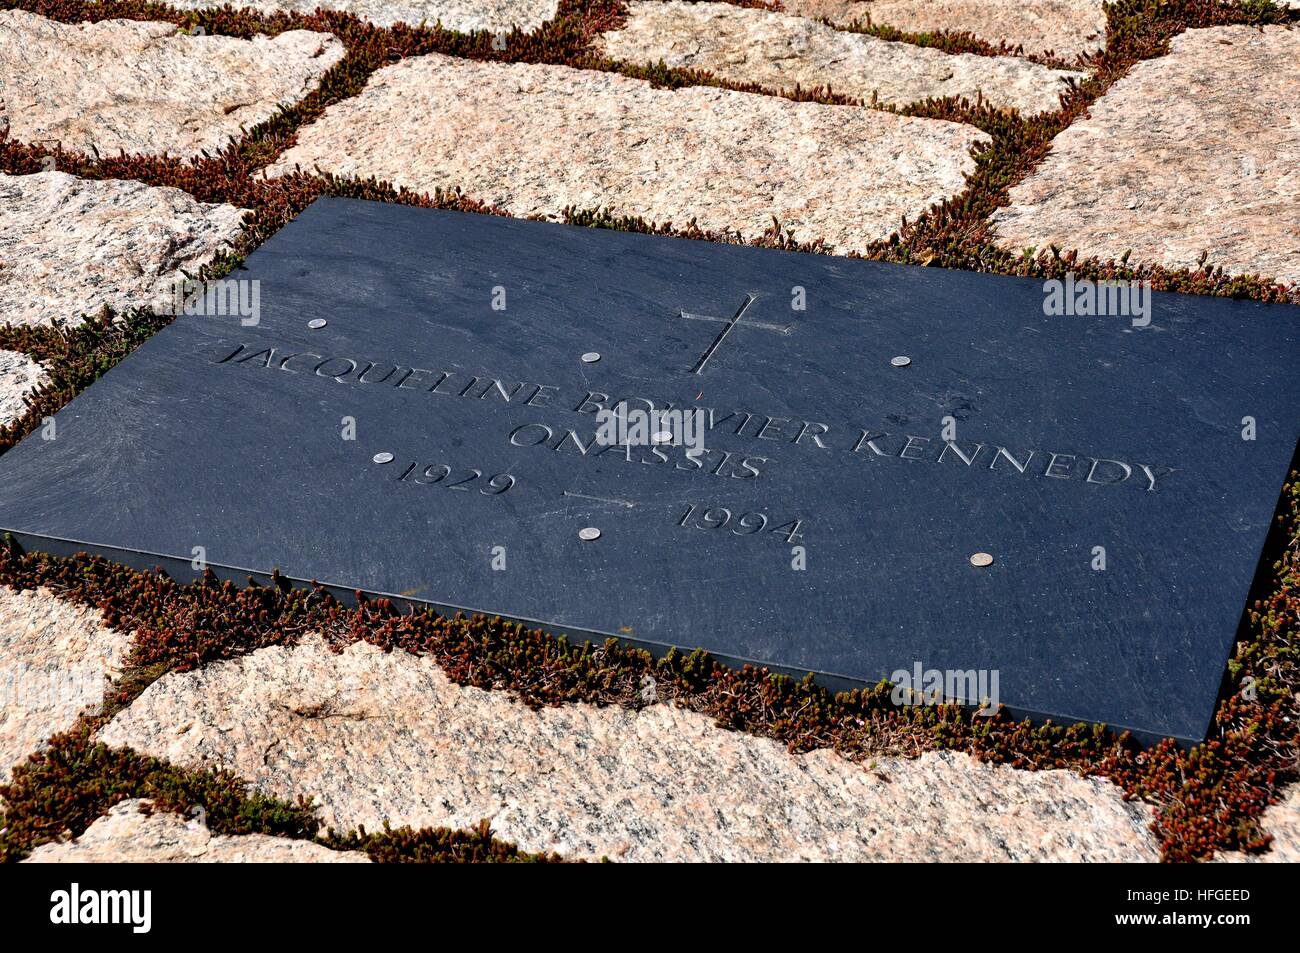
{"type": "Point", "coordinates": [71, 246]}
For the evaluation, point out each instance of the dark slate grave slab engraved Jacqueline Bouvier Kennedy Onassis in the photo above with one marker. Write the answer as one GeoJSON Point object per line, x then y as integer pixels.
{"type": "Point", "coordinates": [229, 439]}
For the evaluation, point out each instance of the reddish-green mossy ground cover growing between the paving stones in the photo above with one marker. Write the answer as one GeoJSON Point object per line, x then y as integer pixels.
{"type": "Point", "coordinates": [1208, 799]}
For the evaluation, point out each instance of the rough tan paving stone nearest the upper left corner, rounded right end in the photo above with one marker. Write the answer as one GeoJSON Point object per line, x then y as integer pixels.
{"type": "Point", "coordinates": [148, 88]}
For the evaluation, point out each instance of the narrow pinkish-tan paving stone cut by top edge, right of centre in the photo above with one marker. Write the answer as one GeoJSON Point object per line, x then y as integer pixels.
{"type": "Point", "coordinates": [1065, 28]}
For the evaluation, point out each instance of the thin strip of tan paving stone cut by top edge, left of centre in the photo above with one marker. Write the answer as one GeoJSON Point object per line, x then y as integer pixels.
{"type": "Point", "coordinates": [465, 16]}
